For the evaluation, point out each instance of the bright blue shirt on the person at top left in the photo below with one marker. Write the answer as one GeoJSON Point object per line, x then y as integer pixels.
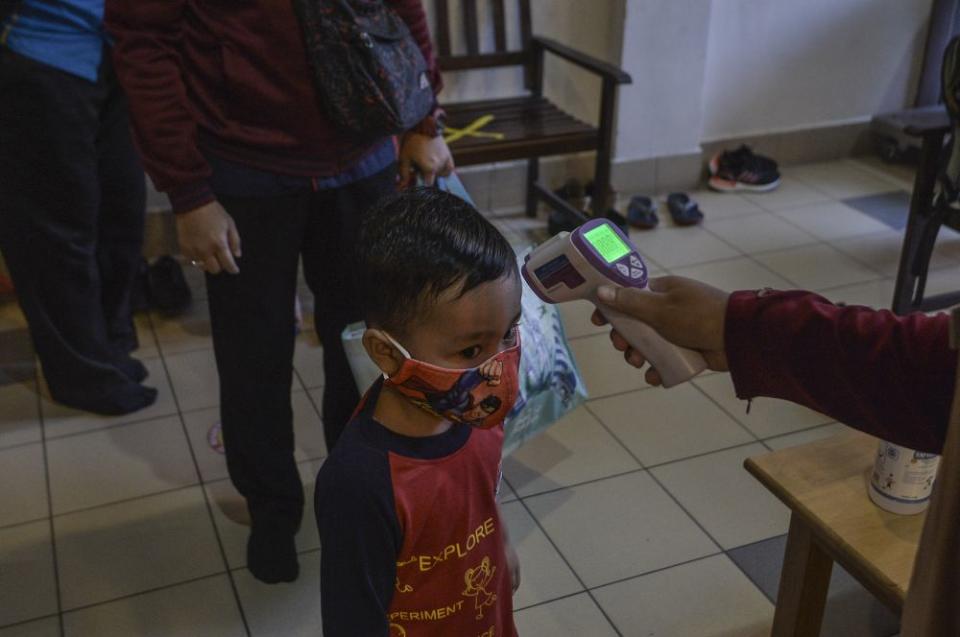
{"type": "Point", "coordinates": [64, 34]}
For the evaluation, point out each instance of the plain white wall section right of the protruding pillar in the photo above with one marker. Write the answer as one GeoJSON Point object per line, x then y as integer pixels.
{"type": "Point", "coordinates": [780, 65]}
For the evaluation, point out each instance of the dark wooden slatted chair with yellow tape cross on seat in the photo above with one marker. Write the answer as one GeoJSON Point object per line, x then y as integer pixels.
{"type": "Point", "coordinates": [531, 125]}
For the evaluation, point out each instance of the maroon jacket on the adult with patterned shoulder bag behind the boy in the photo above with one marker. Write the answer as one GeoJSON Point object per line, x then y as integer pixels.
{"type": "Point", "coordinates": [230, 78]}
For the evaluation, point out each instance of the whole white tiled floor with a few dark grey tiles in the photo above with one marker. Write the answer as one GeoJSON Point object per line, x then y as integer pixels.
{"type": "Point", "coordinates": [632, 516]}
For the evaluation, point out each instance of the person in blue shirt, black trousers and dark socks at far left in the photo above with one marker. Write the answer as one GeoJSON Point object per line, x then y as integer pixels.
{"type": "Point", "coordinates": [72, 202]}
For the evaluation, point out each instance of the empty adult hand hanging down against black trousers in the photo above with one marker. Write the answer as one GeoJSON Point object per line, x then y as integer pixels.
{"type": "Point", "coordinates": [209, 237]}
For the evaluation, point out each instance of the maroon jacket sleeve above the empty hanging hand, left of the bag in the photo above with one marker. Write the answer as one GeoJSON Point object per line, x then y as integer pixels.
{"type": "Point", "coordinates": [146, 56]}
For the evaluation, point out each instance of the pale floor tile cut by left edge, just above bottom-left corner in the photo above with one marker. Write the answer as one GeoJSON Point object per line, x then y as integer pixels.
{"type": "Point", "coordinates": [27, 584]}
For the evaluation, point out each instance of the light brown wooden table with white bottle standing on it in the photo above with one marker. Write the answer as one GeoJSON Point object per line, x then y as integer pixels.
{"type": "Point", "coordinates": [833, 520]}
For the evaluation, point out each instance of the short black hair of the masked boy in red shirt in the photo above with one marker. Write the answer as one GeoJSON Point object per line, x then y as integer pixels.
{"type": "Point", "coordinates": [417, 244]}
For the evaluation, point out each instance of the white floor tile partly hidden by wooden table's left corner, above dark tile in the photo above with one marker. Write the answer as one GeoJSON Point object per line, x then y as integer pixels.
{"type": "Point", "coordinates": [730, 504]}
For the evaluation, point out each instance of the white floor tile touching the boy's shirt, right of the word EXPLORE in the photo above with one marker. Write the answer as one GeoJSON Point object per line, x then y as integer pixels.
{"type": "Point", "coordinates": [543, 573]}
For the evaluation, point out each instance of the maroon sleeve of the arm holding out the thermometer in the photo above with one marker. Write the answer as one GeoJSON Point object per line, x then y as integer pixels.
{"type": "Point", "coordinates": [887, 375]}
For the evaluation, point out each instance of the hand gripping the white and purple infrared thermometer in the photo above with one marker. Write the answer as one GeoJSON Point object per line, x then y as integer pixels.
{"type": "Point", "coordinates": [683, 311]}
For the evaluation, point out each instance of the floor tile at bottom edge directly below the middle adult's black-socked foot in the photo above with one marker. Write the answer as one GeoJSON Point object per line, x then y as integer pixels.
{"type": "Point", "coordinates": [283, 610]}
